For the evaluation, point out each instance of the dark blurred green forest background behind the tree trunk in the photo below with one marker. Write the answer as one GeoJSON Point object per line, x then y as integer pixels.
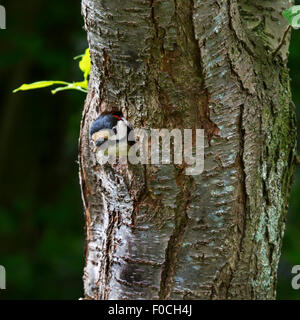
{"type": "Point", "coordinates": [41, 216]}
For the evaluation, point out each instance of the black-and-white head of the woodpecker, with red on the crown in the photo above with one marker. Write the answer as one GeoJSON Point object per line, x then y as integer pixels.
{"type": "Point", "coordinates": [111, 128]}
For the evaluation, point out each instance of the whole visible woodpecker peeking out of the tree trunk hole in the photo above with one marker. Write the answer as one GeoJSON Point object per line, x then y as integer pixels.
{"type": "Point", "coordinates": [110, 132]}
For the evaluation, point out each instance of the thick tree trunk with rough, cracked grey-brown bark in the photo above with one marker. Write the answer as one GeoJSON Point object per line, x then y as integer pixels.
{"type": "Point", "coordinates": [152, 231]}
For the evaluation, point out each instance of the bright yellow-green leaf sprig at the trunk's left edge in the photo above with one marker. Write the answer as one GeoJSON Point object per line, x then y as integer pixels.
{"type": "Point", "coordinates": [85, 67]}
